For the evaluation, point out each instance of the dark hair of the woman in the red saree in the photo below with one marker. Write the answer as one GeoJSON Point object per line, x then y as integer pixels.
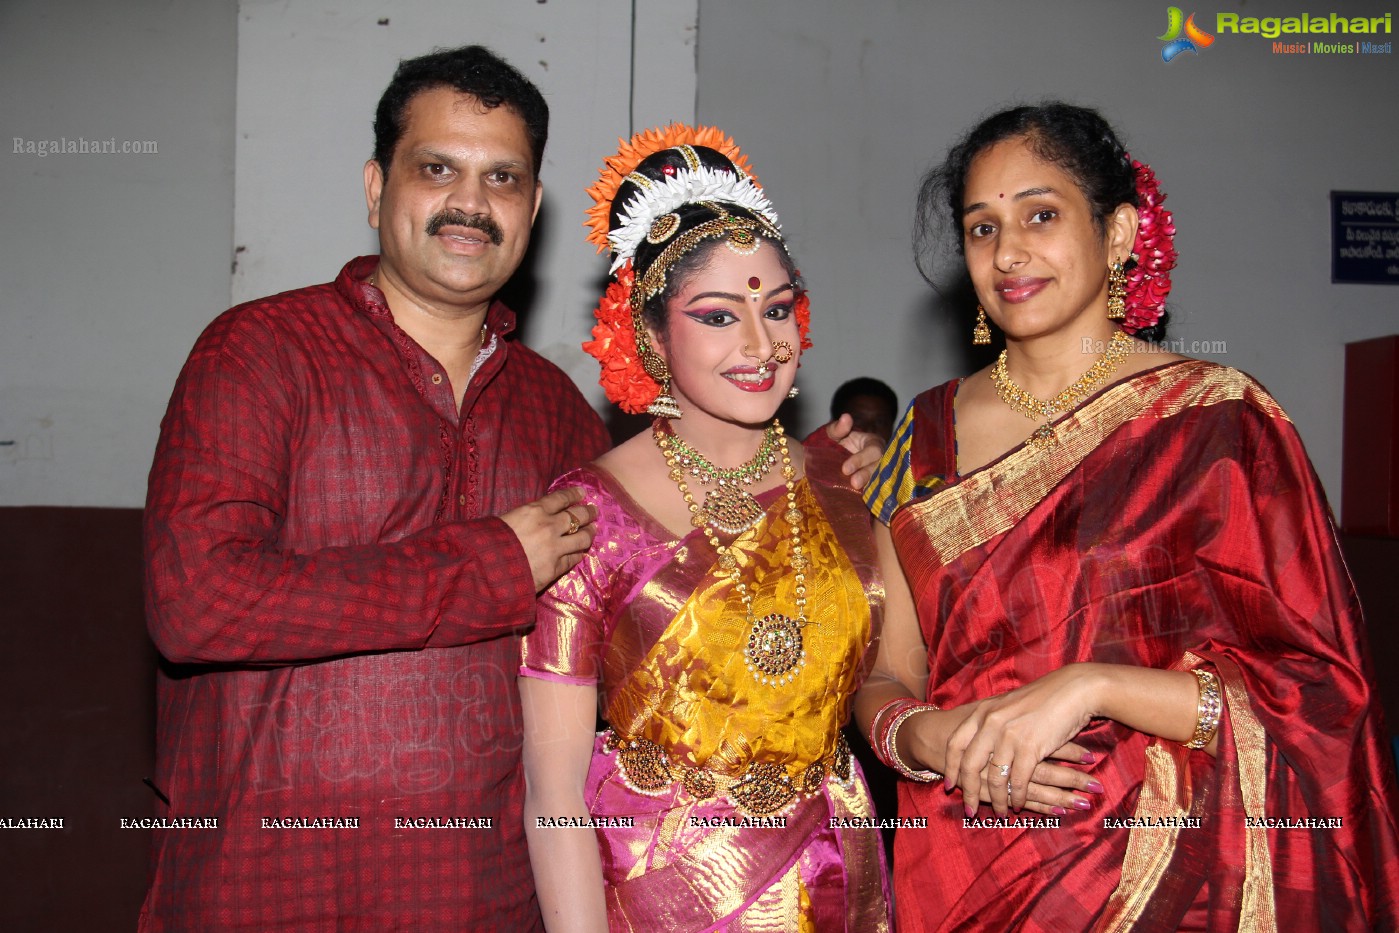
{"type": "Point", "coordinates": [1077, 139]}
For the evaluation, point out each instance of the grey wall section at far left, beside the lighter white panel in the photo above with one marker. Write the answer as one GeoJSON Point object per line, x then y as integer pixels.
{"type": "Point", "coordinates": [110, 264]}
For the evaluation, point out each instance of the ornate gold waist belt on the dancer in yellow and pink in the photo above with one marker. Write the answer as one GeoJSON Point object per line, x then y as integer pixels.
{"type": "Point", "coordinates": [765, 788]}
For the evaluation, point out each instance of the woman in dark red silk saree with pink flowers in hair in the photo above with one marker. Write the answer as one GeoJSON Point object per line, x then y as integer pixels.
{"type": "Point", "coordinates": [1128, 552]}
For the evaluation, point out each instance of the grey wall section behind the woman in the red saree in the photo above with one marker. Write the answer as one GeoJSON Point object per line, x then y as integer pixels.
{"type": "Point", "coordinates": [843, 107]}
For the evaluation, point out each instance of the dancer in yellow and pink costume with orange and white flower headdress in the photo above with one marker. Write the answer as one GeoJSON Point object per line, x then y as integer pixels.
{"type": "Point", "coordinates": [727, 612]}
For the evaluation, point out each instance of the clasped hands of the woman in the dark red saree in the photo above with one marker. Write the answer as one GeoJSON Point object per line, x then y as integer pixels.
{"type": "Point", "coordinates": [998, 753]}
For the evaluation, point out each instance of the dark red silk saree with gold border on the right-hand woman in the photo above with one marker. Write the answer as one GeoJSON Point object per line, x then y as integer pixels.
{"type": "Point", "coordinates": [1179, 524]}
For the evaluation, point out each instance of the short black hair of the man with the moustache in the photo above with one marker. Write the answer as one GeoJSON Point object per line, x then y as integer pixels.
{"type": "Point", "coordinates": [474, 71]}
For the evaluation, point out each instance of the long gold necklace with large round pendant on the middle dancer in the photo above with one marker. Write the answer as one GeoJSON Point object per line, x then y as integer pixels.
{"type": "Point", "coordinates": [774, 653]}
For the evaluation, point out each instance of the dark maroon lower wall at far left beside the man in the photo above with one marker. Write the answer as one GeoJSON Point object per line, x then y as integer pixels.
{"type": "Point", "coordinates": [78, 681]}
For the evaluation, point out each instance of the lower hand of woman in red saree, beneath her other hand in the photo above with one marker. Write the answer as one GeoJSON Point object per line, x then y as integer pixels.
{"type": "Point", "coordinates": [1051, 790]}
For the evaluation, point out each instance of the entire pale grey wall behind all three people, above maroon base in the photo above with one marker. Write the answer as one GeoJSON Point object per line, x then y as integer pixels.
{"type": "Point", "coordinates": [114, 264]}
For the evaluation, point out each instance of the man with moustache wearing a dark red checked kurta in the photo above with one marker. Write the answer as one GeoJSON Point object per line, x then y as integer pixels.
{"type": "Point", "coordinates": [345, 539]}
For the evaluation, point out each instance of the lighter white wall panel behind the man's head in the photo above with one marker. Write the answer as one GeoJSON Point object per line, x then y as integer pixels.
{"type": "Point", "coordinates": [308, 82]}
